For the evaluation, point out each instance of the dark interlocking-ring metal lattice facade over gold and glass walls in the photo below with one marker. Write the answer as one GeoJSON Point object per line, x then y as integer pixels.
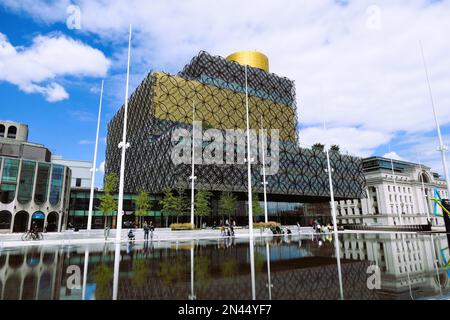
{"type": "Point", "coordinates": [163, 103]}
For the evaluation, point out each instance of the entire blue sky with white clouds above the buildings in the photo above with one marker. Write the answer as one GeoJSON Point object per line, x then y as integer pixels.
{"type": "Point", "coordinates": [358, 63]}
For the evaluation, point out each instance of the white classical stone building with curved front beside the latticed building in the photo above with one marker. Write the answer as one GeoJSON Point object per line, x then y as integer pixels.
{"type": "Point", "coordinates": [402, 196]}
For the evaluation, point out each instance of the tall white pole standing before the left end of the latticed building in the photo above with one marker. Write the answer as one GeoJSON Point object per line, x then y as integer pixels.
{"type": "Point", "coordinates": [123, 145]}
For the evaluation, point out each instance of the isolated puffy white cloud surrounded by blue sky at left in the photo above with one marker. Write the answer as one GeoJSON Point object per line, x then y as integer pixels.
{"type": "Point", "coordinates": [34, 69]}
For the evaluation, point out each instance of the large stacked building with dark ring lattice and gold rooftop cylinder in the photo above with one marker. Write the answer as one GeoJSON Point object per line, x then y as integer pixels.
{"type": "Point", "coordinates": [216, 88]}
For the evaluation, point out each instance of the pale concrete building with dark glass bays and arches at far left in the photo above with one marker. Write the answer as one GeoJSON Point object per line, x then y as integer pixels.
{"type": "Point", "coordinates": [33, 190]}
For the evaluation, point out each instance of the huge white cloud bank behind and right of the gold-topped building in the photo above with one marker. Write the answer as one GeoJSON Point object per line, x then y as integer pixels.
{"type": "Point", "coordinates": [370, 82]}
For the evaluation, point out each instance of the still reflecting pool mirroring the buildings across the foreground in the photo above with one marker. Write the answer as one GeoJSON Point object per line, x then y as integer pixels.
{"type": "Point", "coordinates": [355, 266]}
